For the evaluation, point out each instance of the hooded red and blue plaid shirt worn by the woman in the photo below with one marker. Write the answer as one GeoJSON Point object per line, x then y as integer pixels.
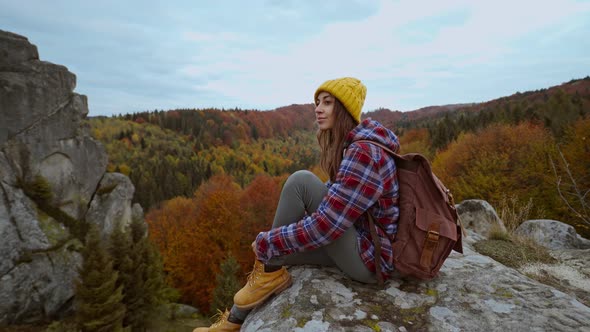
{"type": "Point", "coordinates": [366, 181]}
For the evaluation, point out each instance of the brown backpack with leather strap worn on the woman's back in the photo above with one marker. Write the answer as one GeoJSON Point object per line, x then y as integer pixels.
{"type": "Point", "coordinates": [428, 227]}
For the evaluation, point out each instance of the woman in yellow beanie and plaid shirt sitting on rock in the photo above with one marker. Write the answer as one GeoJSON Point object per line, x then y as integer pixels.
{"type": "Point", "coordinates": [326, 224]}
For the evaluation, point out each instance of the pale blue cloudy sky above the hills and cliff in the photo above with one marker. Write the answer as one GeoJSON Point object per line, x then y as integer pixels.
{"type": "Point", "coordinates": [133, 56]}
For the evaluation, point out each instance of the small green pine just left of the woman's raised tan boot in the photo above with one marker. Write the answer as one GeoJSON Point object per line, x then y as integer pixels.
{"type": "Point", "coordinates": [226, 285]}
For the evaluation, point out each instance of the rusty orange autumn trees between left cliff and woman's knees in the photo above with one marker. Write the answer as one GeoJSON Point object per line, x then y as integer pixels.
{"type": "Point", "coordinates": [196, 234]}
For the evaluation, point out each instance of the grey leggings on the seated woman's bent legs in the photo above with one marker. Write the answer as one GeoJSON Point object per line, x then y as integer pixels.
{"type": "Point", "coordinates": [301, 195]}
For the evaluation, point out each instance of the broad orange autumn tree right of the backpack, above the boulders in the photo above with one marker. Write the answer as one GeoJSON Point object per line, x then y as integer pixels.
{"type": "Point", "coordinates": [498, 162]}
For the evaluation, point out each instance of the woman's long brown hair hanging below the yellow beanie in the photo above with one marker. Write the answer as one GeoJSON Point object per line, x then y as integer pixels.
{"type": "Point", "coordinates": [332, 140]}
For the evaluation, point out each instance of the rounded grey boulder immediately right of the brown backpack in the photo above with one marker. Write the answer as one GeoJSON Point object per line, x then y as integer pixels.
{"type": "Point", "coordinates": [479, 216]}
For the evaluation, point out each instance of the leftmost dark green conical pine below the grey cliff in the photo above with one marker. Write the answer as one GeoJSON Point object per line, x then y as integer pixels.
{"type": "Point", "coordinates": [98, 299]}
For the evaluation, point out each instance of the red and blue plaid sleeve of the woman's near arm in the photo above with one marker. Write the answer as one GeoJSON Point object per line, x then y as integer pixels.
{"type": "Point", "coordinates": [357, 187]}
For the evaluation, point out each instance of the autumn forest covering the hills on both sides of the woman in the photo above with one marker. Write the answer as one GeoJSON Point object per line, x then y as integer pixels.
{"type": "Point", "coordinates": [209, 179]}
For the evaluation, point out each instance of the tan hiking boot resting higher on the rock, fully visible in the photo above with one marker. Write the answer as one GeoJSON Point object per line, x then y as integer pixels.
{"type": "Point", "coordinates": [261, 285]}
